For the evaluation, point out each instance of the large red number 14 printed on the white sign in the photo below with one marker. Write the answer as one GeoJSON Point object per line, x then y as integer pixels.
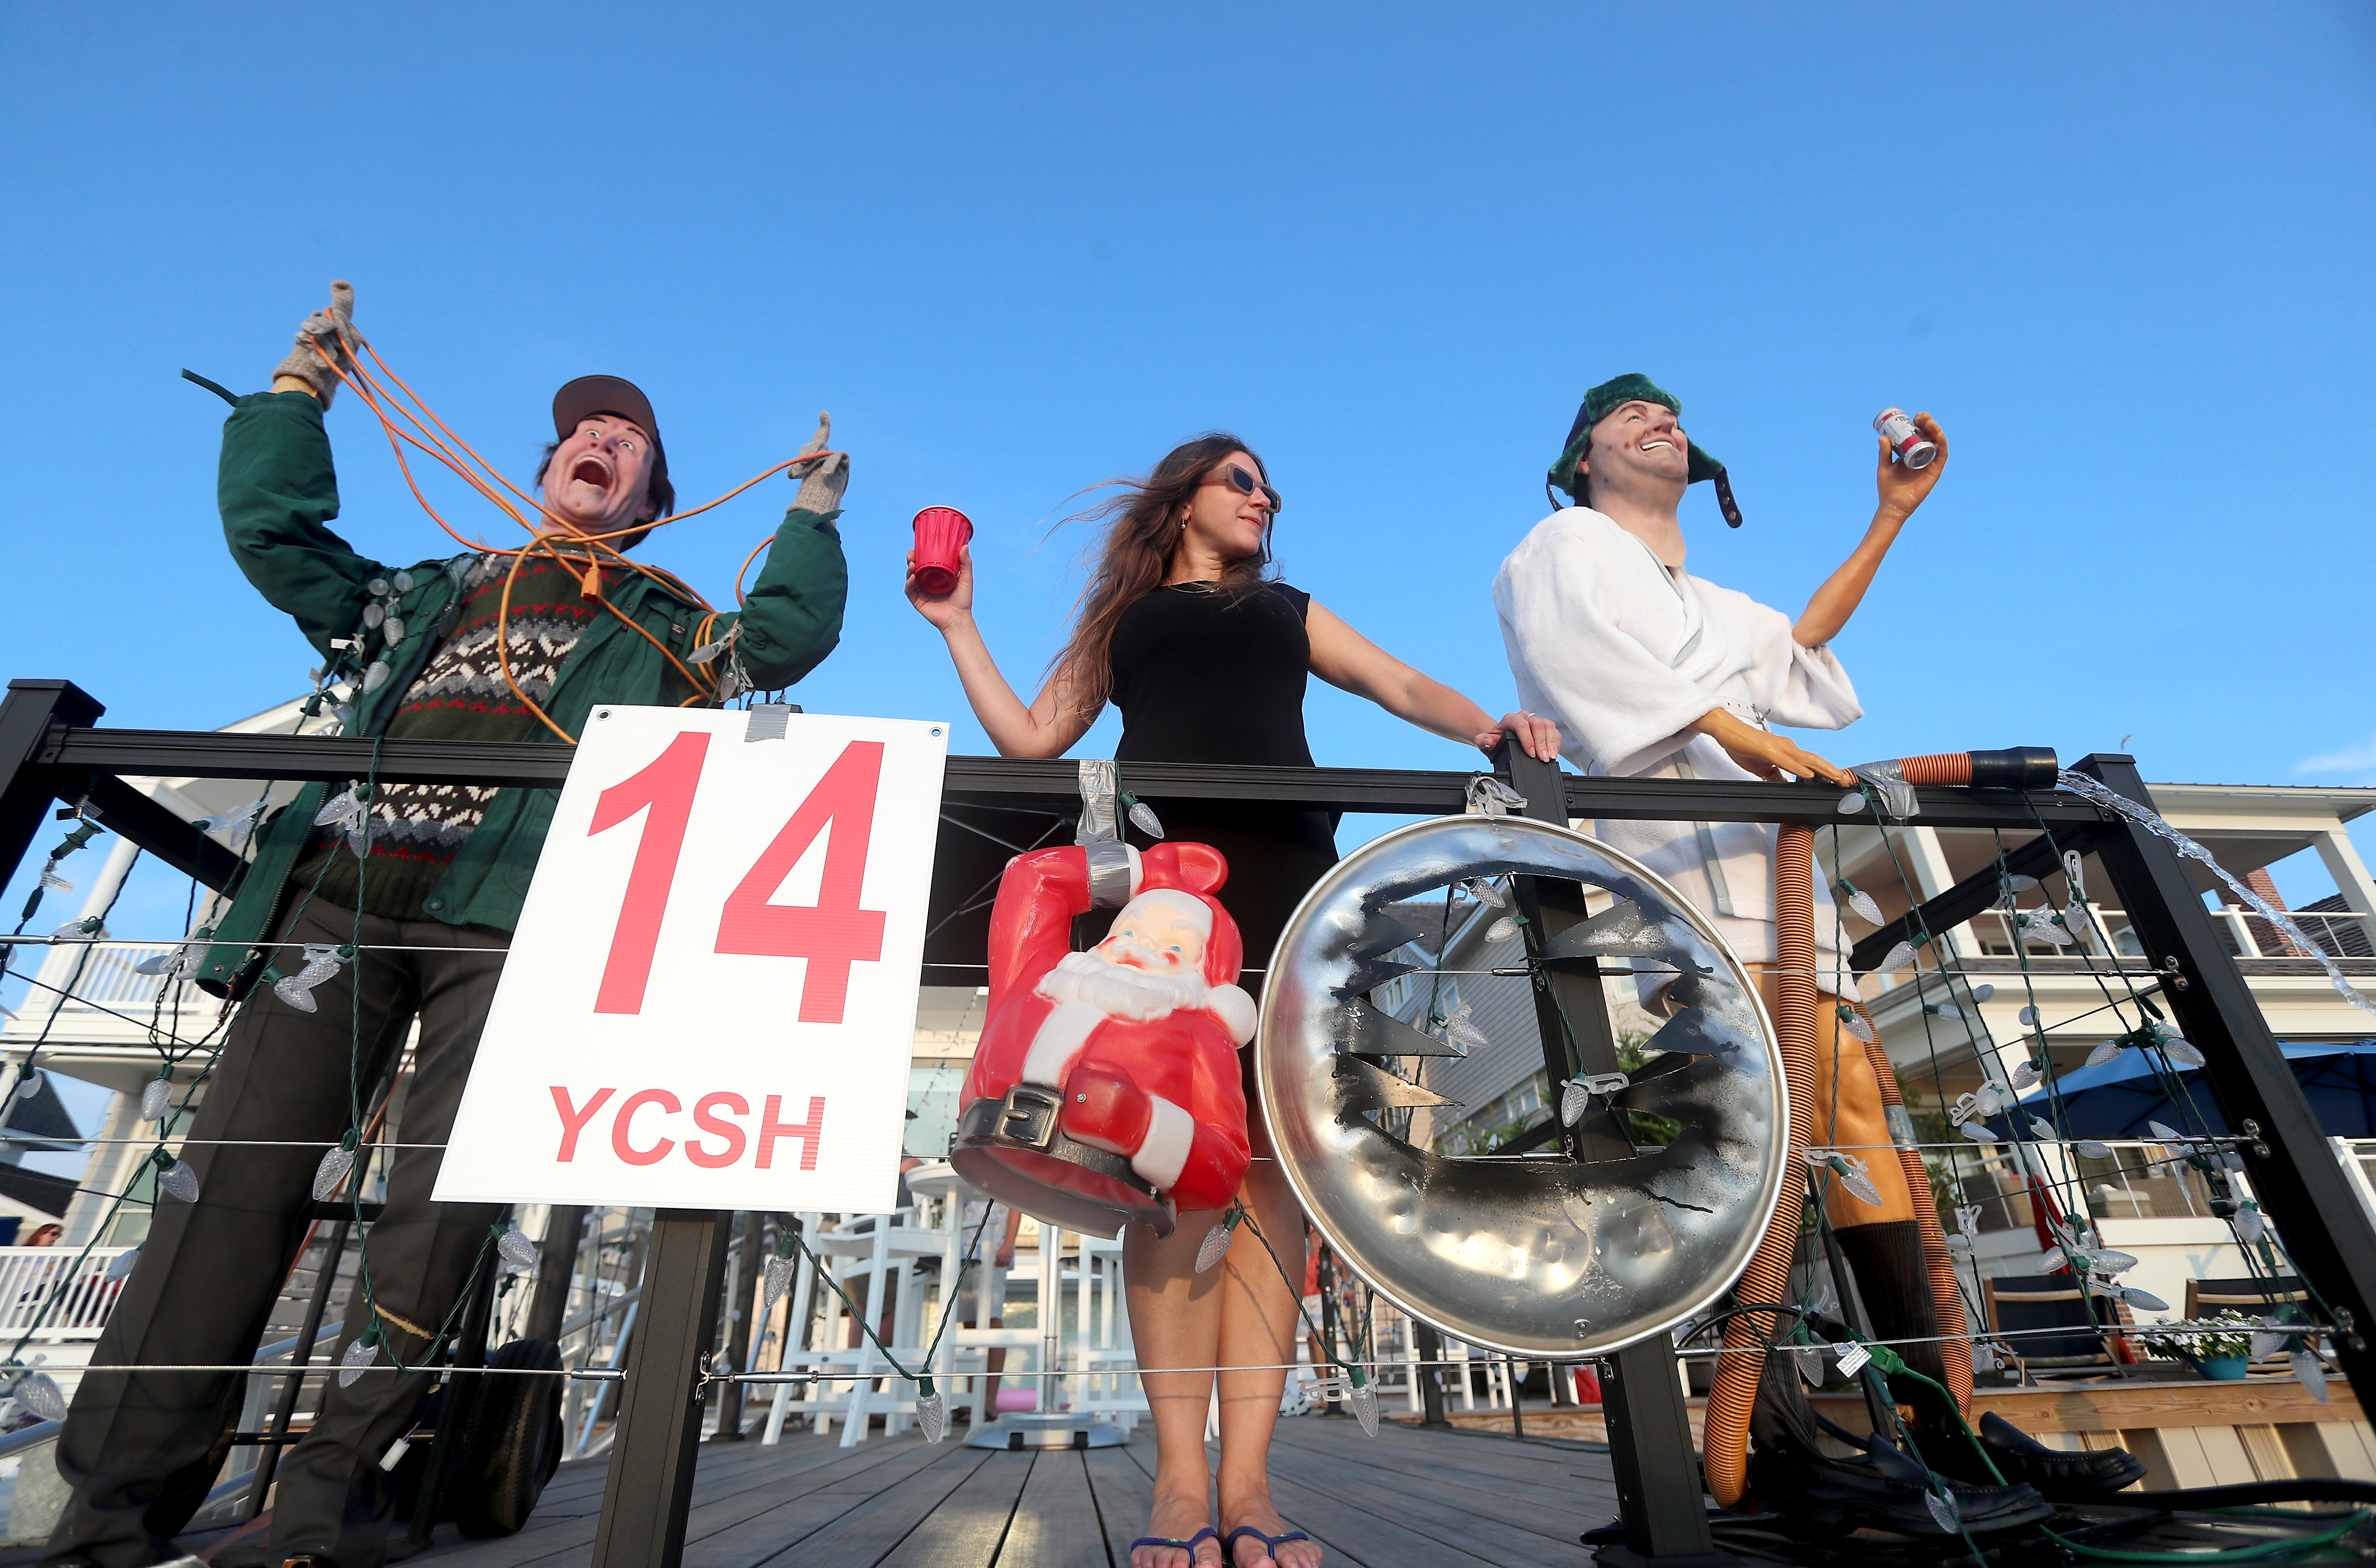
{"type": "Point", "coordinates": [830, 935]}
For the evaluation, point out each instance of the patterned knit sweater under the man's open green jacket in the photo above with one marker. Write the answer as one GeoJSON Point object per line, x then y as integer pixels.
{"type": "Point", "coordinates": [462, 697]}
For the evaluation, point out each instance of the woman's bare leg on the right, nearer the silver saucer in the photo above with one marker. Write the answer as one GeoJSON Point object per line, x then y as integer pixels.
{"type": "Point", "coordinates": [1258, 1334]}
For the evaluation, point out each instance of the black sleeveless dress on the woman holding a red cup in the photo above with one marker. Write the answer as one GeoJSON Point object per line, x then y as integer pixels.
{"type": "Point", "coordinates": [1208, 676]}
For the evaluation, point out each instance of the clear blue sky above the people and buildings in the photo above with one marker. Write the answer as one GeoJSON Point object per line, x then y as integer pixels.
{"type": "Point", "coordinates": [2121, 251]}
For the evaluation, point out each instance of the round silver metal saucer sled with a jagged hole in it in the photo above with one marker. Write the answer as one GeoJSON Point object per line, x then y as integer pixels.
{"type": "Point", "coordinates": [1527, 1256]}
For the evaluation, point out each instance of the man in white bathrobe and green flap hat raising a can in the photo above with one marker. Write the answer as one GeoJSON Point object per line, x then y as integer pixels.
{"type": "Point", "coordinates": [1657, 674]}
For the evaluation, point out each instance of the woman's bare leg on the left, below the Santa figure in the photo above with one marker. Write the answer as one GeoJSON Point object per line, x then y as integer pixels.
{"type": "Point", "coordinates": [1175, 1322]}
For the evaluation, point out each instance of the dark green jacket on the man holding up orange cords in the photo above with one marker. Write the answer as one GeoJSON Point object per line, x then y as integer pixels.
{"type": "Point", "coordinates": [279, 493]}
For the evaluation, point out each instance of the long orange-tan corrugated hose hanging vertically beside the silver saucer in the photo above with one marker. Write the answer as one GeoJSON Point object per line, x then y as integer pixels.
{"type": "Point", "coordinates": [1769, 1270]}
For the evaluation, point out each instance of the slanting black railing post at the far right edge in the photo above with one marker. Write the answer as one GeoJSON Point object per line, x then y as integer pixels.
{"type": "Point", "coordinates": [2296, 1177]}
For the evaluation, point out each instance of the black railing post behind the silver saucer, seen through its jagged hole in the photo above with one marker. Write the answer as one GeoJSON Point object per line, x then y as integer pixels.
{"type": "Point", "coordinates": [1650, 1427]}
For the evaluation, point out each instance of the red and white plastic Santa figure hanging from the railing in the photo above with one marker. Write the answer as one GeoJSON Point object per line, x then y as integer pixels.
{"type": "Point", "coordinates": [1106, 1085]}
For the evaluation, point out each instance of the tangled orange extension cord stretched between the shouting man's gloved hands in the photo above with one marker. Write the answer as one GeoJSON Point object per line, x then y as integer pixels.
{"type": "Point", "coordinates": [481, 476]}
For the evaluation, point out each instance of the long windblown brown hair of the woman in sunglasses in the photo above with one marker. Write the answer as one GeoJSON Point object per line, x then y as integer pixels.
{"type": "Point", "coordinates": [1142, 543]}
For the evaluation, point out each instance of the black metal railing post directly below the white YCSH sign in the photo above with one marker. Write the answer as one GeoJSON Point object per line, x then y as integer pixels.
{"type": "Point", "coordinates": [659, 1420]}
